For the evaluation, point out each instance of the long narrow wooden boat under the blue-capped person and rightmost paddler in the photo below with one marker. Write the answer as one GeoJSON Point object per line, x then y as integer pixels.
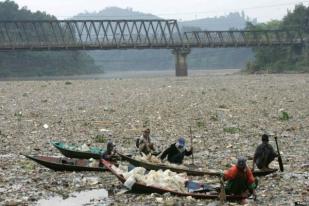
{"type": "Point", "coordinates": [189, 171]}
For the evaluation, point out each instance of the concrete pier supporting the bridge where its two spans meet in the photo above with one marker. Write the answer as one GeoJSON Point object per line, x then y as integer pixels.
{"type": "Point", "coordinates": [181, 61]}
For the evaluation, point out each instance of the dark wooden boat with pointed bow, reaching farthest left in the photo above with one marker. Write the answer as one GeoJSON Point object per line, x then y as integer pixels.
{"type": "Point", "coordinates": [67, 164]}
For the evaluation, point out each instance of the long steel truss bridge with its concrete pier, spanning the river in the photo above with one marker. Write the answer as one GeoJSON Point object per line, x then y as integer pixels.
{"type": "Point", "coordinates": [132, 34]}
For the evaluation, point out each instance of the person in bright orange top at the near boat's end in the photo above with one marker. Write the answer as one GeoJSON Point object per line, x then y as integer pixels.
{"type": "Point", "coordinates": [240, 180]}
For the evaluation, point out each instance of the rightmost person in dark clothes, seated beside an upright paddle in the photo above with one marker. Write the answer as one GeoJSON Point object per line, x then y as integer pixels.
{"type": "Point", "coordinates": [264, 154]}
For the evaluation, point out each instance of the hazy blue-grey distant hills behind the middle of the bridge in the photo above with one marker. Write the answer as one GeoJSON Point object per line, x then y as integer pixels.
{"type": "Point", "coordinates": [163, 59]}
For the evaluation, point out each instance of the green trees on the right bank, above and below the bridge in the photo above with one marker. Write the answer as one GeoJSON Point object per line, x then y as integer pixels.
{"type": "Point", "coordinates": [292, 59]}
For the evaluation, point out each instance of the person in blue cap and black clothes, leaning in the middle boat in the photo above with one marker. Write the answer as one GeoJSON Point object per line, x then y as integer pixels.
{"type": "Point", "coordinates": [176, 152]}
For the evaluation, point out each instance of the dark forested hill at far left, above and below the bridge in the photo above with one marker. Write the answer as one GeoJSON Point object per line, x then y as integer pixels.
{"type": "Point", "coordinates": [48, 63]}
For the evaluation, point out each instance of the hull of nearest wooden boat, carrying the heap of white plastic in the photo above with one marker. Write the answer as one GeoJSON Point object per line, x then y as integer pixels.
{"type": "Point", "coordinates": [199, 191]}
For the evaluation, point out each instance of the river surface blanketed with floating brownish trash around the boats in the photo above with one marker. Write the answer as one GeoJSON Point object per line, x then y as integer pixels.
{"type": "Point", "coordinates": [227, 114]}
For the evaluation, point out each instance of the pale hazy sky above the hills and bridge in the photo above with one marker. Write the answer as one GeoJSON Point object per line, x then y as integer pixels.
{"type": "Point", "coordinates": [263, 10]}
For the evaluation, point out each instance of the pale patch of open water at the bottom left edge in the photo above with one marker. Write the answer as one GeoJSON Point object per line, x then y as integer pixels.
{"type": "Point", "coordinates": [90, 197]}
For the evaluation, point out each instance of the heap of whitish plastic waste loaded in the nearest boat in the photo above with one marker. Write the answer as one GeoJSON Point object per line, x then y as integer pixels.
{"type": "Point", "coordinates": [164, 179]}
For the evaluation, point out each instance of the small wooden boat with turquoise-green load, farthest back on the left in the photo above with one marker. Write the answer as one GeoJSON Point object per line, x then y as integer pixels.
{"type": "Point", "coordinates": [72, 151]}
